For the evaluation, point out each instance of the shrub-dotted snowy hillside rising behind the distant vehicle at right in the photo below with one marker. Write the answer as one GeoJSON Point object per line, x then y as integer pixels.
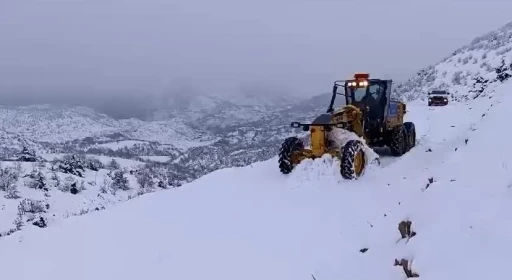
{"type": "Point", "coordinates": [468, 70]}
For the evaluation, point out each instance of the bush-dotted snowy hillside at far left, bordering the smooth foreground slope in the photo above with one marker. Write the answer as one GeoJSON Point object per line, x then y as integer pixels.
{"type": "Point", "coordinates": [42, 193]}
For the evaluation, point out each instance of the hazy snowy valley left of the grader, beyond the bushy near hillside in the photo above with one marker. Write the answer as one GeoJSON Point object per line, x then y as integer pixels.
{"type": "Point", "coordinates": [209, 137]}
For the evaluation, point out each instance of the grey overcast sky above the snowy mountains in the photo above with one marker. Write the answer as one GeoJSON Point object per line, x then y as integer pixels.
{"type": "Point", "coordinates": [101, 47]}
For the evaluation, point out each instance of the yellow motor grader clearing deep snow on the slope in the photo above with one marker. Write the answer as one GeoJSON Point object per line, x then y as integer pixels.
{"type": "Point", "coordinates": [368, 112]}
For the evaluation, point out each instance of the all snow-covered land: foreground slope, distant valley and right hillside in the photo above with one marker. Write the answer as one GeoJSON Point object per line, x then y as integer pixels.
{"type": "Point", "coordinates": [438, 212]}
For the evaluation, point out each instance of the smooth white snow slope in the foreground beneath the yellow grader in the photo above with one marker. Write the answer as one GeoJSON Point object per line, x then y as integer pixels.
{"type": "Point", "coordinates": [255, 223]}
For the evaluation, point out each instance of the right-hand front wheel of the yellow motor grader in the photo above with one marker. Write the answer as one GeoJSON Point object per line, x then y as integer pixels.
{"type": "Point", "coordinates": [348, 167]}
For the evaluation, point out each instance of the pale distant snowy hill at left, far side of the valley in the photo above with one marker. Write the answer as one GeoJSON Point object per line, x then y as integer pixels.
{"type": "Point", "coordinates": [53, 124]}
